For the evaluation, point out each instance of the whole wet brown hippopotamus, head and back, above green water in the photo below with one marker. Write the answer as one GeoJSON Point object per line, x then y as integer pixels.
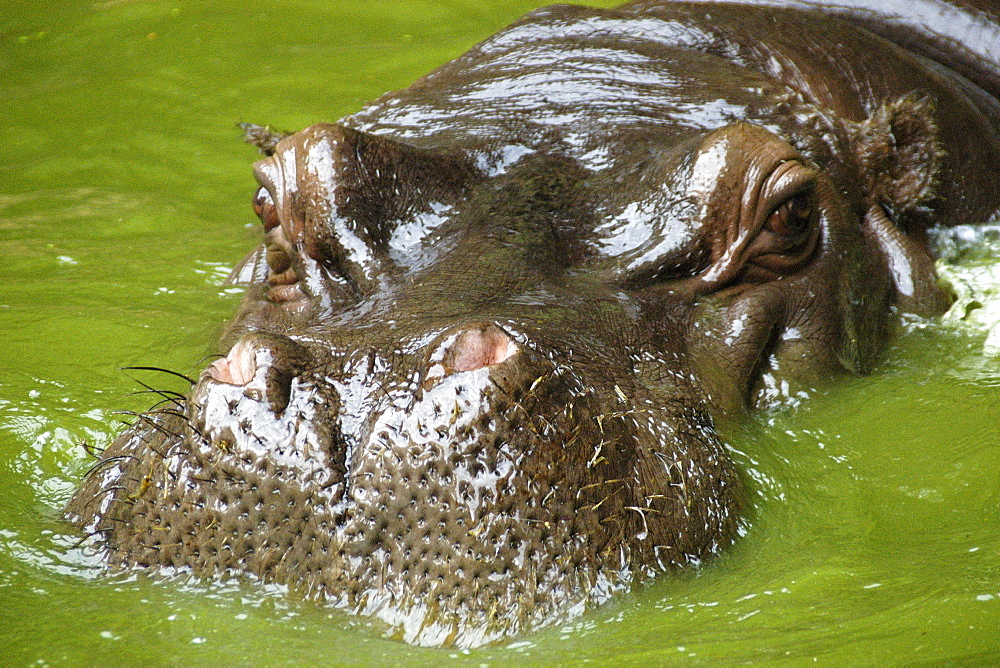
{"type": "Point", "coordinates": [496, 318]}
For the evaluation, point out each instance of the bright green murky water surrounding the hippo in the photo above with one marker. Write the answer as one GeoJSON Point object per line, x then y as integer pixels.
{"type": "Point", "coordinates": [124, 199]}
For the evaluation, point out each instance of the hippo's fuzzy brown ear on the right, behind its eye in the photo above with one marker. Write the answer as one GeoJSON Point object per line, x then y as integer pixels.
{"type": "Point", "coordinates": [899, 154]}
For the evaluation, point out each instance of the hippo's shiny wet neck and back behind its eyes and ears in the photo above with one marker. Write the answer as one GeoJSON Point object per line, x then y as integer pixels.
{"type": "Point", "coordinates": [600, 85]}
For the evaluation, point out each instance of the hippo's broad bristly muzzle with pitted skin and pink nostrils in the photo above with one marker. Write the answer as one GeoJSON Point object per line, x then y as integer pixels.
{"type": "Point", "coordinates": [458, 487]}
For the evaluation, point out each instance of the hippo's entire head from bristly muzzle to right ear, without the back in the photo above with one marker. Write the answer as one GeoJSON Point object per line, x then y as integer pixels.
{"type": "Point", "coordinates": [472, 386]}
